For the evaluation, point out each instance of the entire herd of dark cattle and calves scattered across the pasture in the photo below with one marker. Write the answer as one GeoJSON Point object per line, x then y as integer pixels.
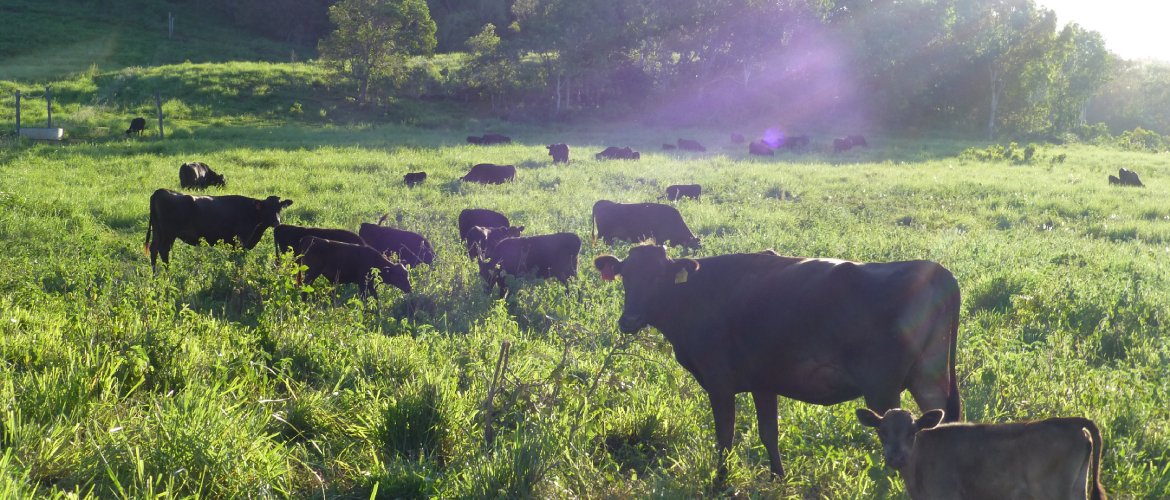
{"type": "Point", "coordinates": [818, 331]}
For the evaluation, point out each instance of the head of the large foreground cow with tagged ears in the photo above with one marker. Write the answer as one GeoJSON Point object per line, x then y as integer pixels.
{"type": "Point", "coordinates": [645, 275]}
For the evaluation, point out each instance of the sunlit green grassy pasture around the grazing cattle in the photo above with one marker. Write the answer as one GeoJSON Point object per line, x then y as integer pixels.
{"type": "Point", "coordinates": [216, 379]}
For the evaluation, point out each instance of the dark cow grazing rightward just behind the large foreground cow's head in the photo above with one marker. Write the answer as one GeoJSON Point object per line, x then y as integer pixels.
{"type": "Point", "coordinates": [637, 222]}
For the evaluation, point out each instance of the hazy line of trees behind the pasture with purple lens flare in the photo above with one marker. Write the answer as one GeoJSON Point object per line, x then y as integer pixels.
{"type": "Point", "coordinates": [995, 66]}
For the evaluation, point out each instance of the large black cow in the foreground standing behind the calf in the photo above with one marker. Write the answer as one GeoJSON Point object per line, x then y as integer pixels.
{"type": "Point", "coordinates": [817, 331]}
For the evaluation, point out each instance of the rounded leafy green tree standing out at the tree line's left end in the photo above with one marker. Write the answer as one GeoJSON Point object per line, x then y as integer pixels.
{"type": "Point", "coordinates": [374, 37]}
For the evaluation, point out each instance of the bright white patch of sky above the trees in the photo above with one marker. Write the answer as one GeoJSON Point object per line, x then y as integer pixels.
{"type": "Point", "coordinates": [1132, 29]}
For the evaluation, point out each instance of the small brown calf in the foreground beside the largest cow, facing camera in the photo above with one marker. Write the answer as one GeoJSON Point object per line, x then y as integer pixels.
{"type": "Point", "coordinates": [1052, 460]}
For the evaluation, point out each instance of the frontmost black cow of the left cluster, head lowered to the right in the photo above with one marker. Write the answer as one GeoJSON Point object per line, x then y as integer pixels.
{"type": "Point", "coordinates": [343, 263]}
